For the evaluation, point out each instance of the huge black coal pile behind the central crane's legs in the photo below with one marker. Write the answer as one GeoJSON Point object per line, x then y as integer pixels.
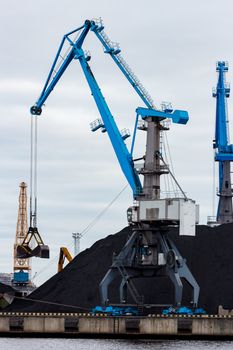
{"type": "Point", "coordinates": [209, 256]}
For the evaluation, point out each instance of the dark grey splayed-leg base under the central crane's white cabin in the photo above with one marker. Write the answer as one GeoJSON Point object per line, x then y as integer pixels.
{"type": "Point", "coordinates": [148, 253]}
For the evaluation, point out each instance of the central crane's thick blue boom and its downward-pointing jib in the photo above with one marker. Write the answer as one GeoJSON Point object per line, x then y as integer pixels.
{"type": "Point", "coordinates": [76, 52]}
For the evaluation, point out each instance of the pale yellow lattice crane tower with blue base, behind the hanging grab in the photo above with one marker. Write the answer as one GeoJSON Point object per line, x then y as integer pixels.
{"type": "Point", "coordinates": [22, 267]}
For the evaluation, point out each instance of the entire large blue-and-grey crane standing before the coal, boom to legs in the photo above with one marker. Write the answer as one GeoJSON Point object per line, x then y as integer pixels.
{"type": "Point", "coordinates": [149, 252]}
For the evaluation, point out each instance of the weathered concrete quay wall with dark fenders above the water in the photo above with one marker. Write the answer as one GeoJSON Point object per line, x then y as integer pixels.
{"type": "Point", "coordinates": [80, 324]}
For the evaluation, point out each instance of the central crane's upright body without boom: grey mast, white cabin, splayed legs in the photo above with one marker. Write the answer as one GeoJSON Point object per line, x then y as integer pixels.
{"type": "Point", "coordinates": [150, 252]}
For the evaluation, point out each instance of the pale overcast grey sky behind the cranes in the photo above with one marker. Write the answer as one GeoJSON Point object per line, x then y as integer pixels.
{"type": "Point", "coordinates": [172, 46]}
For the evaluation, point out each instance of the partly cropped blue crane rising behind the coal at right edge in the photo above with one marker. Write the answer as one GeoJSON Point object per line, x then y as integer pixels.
{"type": "Point", "coordinates": [222, 146]}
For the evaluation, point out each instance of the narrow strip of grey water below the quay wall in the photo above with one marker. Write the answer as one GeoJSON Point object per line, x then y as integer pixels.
{"type": "Point", "coordinates": [109, 344]}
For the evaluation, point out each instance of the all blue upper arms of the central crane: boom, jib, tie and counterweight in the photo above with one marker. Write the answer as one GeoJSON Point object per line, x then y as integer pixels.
{"type": "Point", "coordinates": [123, 155]}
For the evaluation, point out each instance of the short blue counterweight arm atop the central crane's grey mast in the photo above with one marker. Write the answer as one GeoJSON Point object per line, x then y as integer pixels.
{"type": "Point", "coordinates": [177, 116]}
